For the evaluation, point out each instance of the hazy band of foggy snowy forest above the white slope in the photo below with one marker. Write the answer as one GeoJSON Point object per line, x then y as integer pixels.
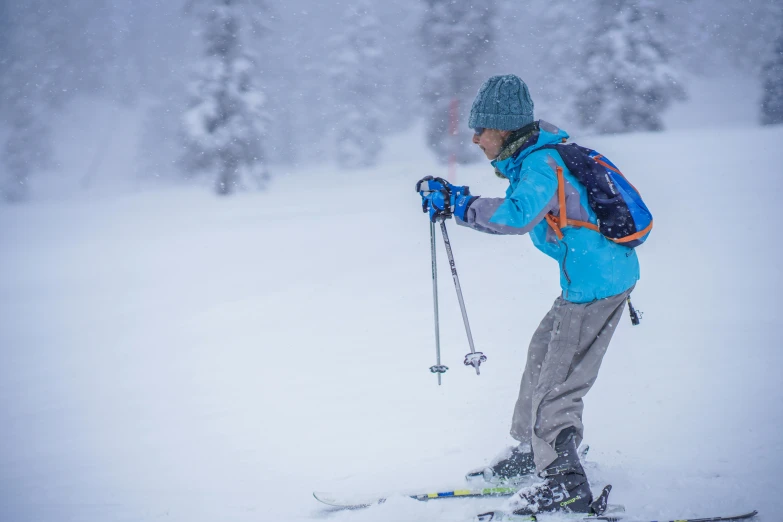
{"type": "Point", "coordinates": [231, 93]}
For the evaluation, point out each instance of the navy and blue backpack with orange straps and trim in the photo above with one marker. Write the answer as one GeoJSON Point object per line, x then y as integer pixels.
{"type": "Point", "coordinates": [622, 215]}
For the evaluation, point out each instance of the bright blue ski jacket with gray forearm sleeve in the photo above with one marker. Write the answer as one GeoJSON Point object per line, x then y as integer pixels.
{"type": "Point", "coordinates": [591, 266]}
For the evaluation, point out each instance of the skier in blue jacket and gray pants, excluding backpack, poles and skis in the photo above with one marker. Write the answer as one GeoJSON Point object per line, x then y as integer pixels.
{"type": "Point", "coordinates": [596, 276]}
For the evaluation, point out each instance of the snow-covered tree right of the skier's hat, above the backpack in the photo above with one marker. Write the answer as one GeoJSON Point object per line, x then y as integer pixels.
{"type": "Point", "coordinates": [627, 77]}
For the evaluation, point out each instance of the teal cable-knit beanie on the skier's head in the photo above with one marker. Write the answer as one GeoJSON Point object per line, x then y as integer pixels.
{"type": "Point", "coordinates": [502, 103]}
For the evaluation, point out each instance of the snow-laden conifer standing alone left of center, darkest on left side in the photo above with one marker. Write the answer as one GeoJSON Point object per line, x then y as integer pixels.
{"type": "Point", "coordinates": [225, 124]}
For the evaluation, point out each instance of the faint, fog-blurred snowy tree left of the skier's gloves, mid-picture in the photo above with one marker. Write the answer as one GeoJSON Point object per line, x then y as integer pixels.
{"type": "Point", "coordinates": [357, 87]}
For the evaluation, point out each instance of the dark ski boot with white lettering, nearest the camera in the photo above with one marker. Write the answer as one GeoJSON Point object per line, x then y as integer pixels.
{"type": "Point", "coordinates": [565, 486]}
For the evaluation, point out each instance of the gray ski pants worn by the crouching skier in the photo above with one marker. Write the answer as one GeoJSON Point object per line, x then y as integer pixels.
{"type": "Point", "coordinates": [562, 365]}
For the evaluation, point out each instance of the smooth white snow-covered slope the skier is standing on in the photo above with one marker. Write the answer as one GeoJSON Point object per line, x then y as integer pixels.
{"type": "Point", "coordinates": [175, 356]}
